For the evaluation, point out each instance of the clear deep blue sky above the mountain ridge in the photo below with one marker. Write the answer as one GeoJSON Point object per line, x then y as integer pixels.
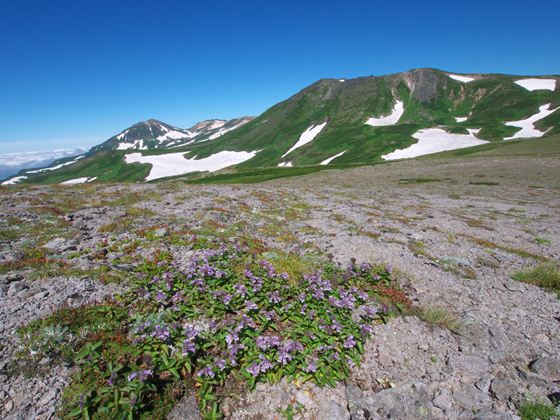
{"type": "Point", "coordinates": [74, 73]}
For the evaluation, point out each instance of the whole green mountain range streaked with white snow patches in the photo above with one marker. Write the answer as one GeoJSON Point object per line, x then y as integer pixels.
{"type": "Point", "coordinates": [334, 122]}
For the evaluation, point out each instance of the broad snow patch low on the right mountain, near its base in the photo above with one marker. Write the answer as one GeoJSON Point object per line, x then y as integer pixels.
{"type": "Point", "coordinates": [433, 140]}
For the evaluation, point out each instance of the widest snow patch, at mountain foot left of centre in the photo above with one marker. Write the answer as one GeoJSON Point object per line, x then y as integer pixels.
{"type": "Point", "coordinates": [173, 164]}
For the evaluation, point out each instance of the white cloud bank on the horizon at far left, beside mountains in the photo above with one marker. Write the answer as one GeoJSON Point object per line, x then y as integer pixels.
{"type": "Point", "coordinates": [12, 163]}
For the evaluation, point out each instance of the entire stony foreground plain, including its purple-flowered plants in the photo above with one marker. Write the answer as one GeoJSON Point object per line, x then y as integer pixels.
{"type": "Point", "coordinates": [423, 288]}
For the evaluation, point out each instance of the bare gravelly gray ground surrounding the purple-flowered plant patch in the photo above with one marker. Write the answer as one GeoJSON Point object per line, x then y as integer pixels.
{"type": "Point", "coordinates": [455, 231]}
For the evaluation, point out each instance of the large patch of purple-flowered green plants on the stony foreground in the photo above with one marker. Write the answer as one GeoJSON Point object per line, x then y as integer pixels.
{"type": "Point", "coordinates": [237, 315]}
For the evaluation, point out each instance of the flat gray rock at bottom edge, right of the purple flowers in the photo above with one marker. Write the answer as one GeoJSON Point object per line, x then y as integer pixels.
{"type": "Point", "coordinates": [408, 401]}
